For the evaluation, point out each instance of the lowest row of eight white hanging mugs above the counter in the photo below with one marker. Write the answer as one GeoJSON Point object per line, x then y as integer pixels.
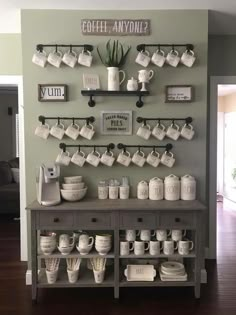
{"type": "Point", "coordinates": [94, 158]}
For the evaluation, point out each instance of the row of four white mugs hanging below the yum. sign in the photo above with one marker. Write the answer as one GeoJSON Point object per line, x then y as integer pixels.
{"type": "Point", "coordinates": [58, 131]}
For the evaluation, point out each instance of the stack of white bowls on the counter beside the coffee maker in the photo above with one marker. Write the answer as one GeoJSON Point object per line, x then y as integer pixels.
{"type": "Point", "coordinates": [73, 188]}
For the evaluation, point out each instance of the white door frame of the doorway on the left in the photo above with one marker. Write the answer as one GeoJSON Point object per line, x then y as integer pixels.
{"type": "Point", "coordinates": [17, 80]}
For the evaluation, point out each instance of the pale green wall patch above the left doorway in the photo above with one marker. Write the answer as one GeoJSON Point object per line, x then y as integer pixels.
{"type": "Point", "coordinates": [10, 54]}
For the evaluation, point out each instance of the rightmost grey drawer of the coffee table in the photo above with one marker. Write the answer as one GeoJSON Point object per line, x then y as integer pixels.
{"type": "Point", "coordinates": [177, 220]}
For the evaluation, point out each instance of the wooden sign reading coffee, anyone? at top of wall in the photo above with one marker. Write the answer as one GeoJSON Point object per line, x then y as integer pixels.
{"type": "Point", "coordinates": [115, 27]}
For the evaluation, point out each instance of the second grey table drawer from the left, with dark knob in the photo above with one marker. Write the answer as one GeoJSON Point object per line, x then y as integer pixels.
{"type": "Point", "coordinates": [94, 220]}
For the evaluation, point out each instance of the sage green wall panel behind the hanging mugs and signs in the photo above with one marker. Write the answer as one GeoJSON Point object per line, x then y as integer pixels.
{"type": "Point", "coordinates": [51, 26]}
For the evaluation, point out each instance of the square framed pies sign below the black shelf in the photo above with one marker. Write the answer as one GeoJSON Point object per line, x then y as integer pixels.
{"type": "Point", "coordinates": [116, 123]}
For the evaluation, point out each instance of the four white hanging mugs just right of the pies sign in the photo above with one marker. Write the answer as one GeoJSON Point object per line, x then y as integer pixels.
{"type": "Point", "coordinates": [174, 131]}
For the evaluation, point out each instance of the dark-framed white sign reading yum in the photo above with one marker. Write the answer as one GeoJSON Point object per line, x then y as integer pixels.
{"type": "Point", "coordinates": [52, 92]}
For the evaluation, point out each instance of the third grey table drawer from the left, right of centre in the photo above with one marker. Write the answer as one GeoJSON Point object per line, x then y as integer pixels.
{"type": "Point", "coordinates": [138, 220]}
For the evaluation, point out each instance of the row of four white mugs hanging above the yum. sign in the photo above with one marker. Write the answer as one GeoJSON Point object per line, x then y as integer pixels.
{"type": "Point", "coordinates": [57, 57]}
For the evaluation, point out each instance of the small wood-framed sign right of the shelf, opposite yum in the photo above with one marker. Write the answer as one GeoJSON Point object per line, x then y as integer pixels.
{"type": "Point", "coordinates": [179, 93]}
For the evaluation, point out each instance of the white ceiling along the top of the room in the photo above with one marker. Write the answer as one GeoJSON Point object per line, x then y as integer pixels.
{"type": "Point", "coordinates": [222, 19]}
